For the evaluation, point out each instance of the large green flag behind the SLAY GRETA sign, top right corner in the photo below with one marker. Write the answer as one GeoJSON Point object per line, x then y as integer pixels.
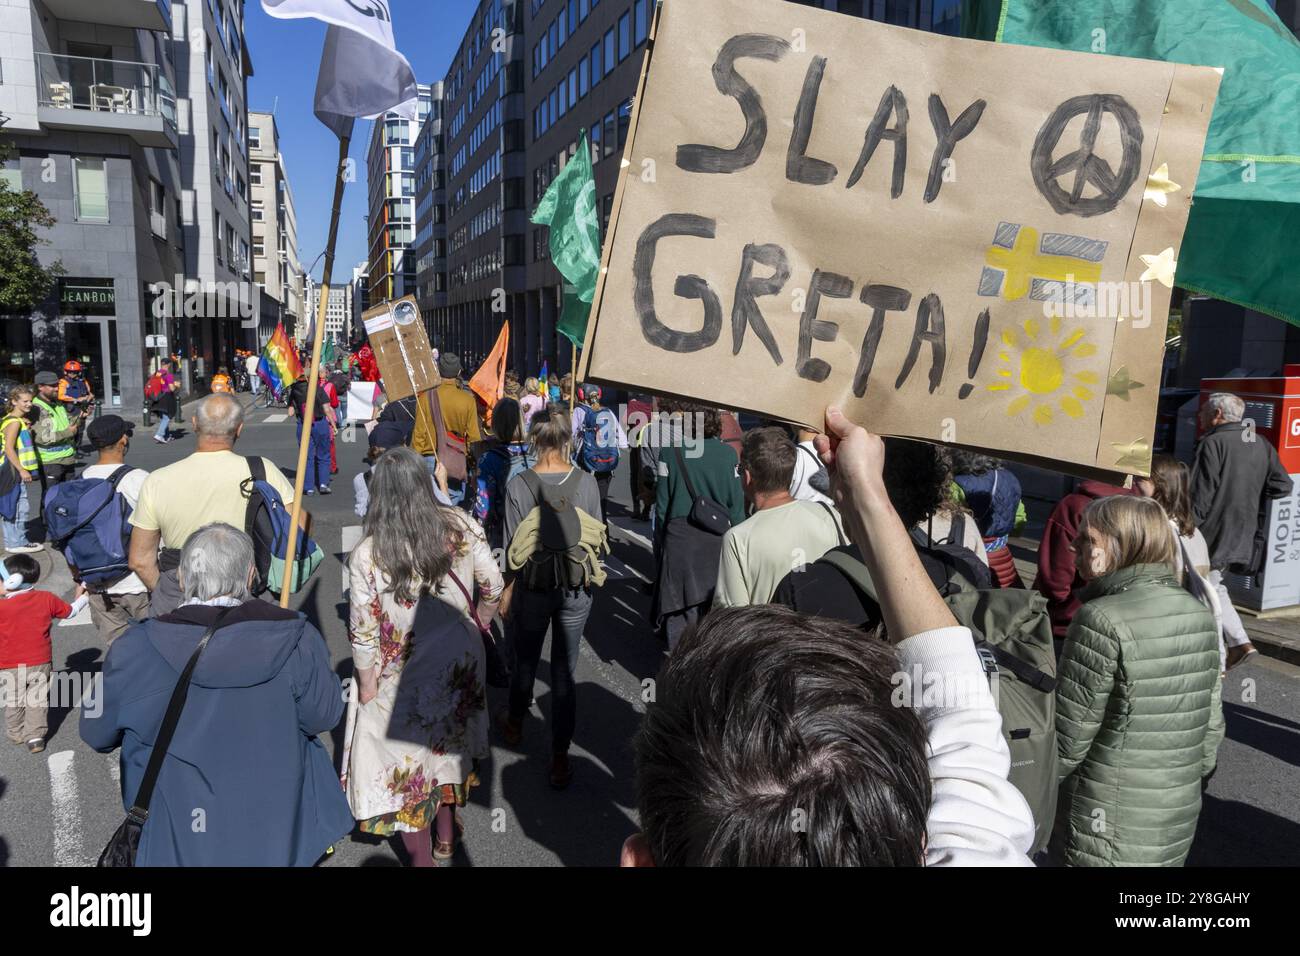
{"type": "Point", "coordinates": [1247, 202]}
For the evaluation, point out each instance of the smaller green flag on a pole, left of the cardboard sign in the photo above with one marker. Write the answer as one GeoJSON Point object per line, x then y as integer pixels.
{"type": "Point", "coordinates": [569, 209]}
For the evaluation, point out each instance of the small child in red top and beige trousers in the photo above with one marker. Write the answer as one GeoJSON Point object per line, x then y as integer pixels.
{"type": "Point", "coordinates": [27, 616]}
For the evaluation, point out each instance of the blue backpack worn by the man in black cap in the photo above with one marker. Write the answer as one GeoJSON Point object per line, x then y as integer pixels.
{"type": "Point", "coordinates": [89, 521]}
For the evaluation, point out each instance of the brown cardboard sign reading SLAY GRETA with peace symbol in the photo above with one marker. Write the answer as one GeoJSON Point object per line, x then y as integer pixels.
{"type": "Point", "coordinates": [956, 241]}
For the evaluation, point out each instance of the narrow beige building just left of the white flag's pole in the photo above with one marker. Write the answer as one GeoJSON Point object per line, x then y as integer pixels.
{"type": "Point", "coordinates": [276, 269]}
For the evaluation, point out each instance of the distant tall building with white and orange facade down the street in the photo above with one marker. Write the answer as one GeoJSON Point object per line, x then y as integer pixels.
{"type": "Point", "coordinates": [391, 178]}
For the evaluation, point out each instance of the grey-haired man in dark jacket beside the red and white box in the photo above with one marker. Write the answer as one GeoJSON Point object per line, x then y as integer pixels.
{"type": "Point", "coordinates": [1236, 475]}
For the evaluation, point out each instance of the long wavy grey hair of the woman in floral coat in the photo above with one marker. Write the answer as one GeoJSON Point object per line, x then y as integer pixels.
{"type": "Point", "coordinates": [413, 538]}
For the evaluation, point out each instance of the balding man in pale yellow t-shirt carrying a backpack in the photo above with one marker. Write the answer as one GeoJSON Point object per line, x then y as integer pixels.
{"type": "Point", "coordinates": [205, 488]}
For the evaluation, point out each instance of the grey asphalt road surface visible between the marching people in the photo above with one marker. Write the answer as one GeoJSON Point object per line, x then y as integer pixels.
{"type": "Point", "coordinates": [62, 807]}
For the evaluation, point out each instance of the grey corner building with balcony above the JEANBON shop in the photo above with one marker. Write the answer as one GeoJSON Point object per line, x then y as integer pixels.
{"type": "Point", "coordinates": [89, 97]}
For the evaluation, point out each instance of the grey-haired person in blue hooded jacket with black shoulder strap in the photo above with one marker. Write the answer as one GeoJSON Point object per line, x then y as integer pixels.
{"type": "Point", "coordinates": [246, 781]}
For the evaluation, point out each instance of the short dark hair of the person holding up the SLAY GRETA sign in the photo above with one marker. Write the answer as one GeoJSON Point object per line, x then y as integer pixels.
{"type": "Point", "coordinates": [774, 742]}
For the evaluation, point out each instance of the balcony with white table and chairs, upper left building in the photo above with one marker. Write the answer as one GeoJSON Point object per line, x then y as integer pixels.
{"type": "Point", "coordinates": [77, 93]}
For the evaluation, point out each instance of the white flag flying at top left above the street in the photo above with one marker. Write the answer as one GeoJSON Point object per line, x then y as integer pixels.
{"type": "Point", "coordinates": [362, 72]}
